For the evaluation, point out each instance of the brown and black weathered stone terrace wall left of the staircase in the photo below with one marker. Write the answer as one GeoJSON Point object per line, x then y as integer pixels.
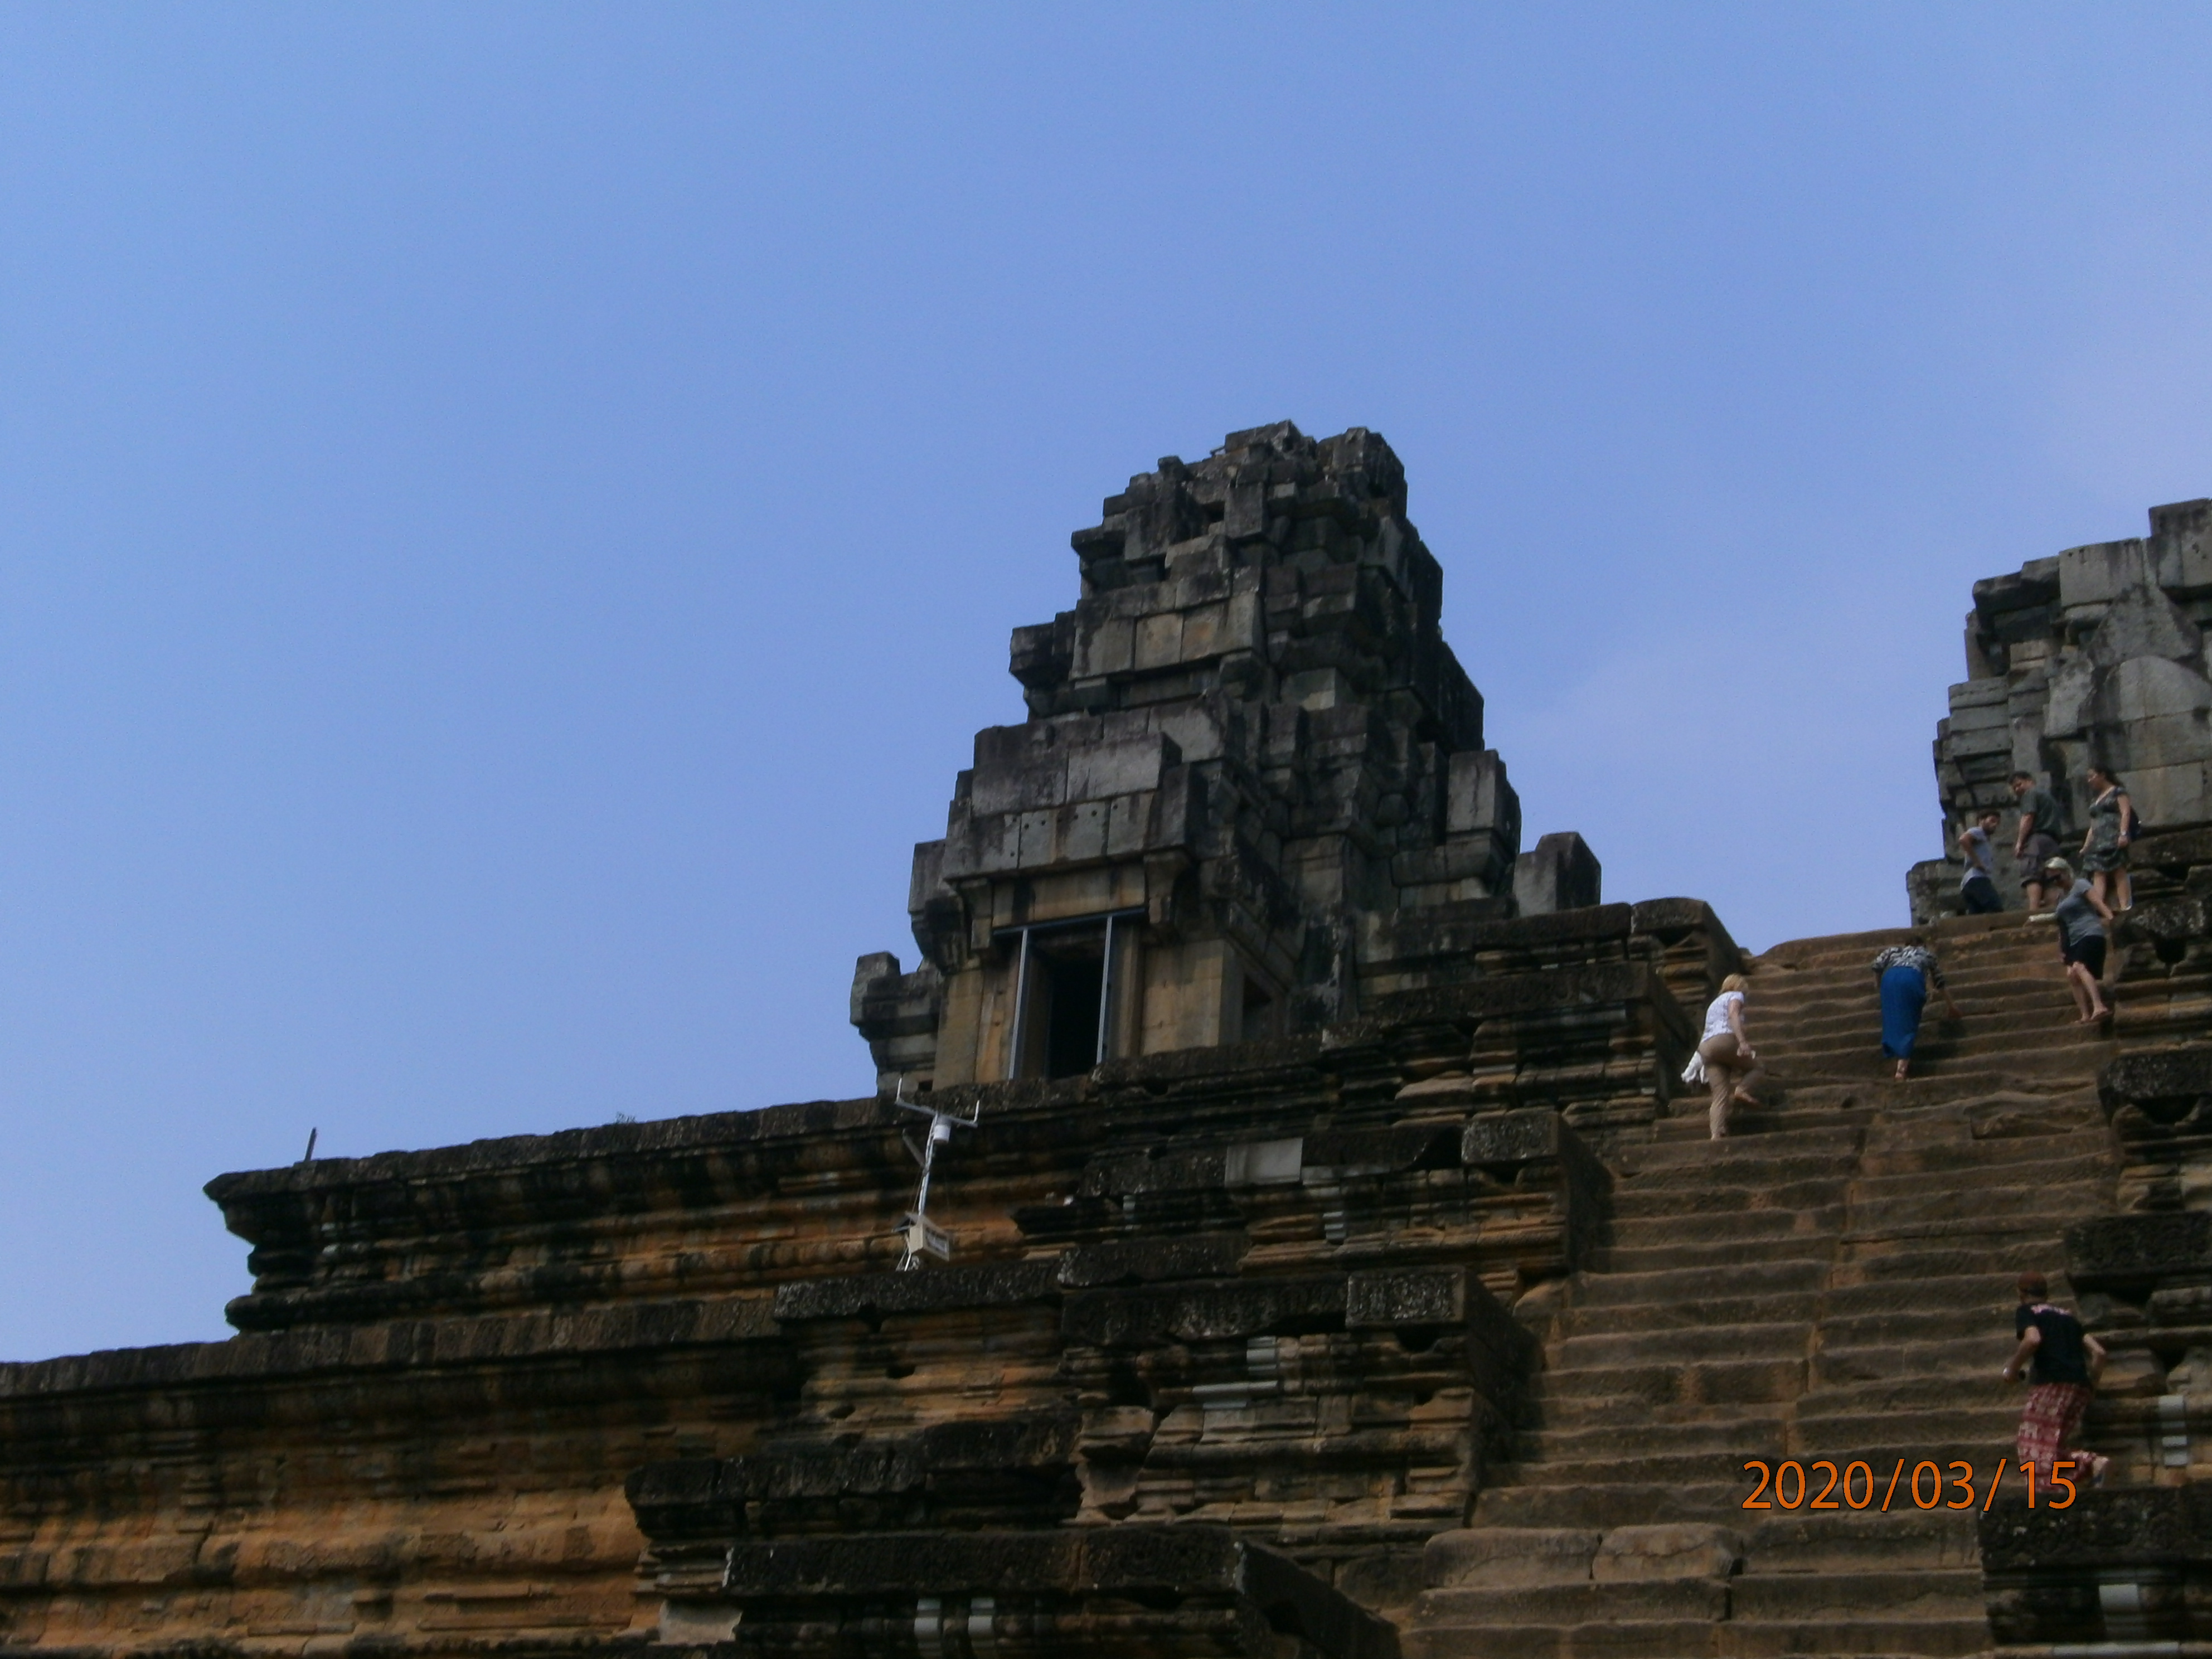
{"type": "Point", "coordinates": [1240, 1315]}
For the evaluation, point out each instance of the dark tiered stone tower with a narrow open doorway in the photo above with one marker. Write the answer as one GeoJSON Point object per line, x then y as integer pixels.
{"type": "Point", "coordinates": [1249, 793]}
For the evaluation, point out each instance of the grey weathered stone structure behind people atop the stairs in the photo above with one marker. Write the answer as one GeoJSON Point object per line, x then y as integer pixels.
{"type": "Point", "coordinates": [2096, 656]}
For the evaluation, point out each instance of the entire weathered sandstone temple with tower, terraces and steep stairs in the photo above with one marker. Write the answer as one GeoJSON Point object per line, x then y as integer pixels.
{"type": "Point", "coordinates": [1280, 1229]}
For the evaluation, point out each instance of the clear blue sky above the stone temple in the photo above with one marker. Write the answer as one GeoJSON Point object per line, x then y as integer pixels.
{"type": "Point", "coordinates": [512, 514]}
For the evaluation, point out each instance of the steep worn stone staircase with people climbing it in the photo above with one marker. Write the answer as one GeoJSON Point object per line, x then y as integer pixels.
{"type": "Point", "coordinates": [1830, 1282]}
